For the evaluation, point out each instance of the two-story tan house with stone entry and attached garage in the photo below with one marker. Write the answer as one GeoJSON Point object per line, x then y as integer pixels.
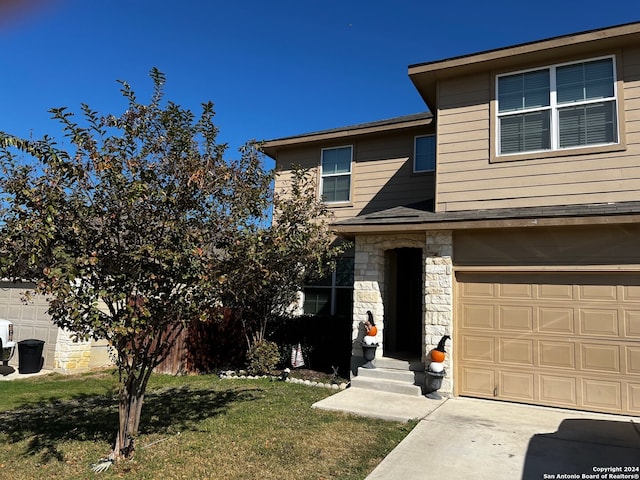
{"type": "Point", "coordinates": [507, 217]}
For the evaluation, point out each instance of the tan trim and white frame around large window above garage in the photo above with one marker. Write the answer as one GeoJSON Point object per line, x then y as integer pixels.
{"type": "Point", "coordinates": [555, 151]}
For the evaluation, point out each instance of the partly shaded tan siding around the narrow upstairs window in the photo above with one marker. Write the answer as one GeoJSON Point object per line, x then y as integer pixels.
{"type": "Point", "coordinates": [382, 172]}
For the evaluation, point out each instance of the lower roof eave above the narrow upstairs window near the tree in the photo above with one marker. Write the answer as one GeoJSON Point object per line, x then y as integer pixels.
{"type": "Point", "coordinates": [270, 147]}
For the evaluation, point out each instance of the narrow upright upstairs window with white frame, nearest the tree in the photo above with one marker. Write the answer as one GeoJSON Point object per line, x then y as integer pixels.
{"type": "Point", "coordinates": [336, 174]}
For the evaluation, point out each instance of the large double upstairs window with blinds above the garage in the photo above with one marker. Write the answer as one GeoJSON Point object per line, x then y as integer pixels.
{"type": "Point", "coordinates": [558, 107]}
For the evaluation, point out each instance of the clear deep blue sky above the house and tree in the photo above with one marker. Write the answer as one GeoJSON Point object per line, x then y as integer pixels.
{"type": "Point", "coordinates": [273, 68]}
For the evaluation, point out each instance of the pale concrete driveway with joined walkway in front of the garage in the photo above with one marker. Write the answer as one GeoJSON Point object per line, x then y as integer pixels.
{"type": "Point", "coordinates": [463, 438]}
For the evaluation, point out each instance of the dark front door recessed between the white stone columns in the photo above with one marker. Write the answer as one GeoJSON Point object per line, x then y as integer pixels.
{"type": "Point", "coordinates": [403, 303]}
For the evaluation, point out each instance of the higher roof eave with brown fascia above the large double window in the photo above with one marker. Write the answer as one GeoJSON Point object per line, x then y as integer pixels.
{"type": "Point", "coordinates": [425, 76]}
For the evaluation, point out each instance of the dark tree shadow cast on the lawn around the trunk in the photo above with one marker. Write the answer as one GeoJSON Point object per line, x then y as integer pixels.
{"type": "Point", "coordinates": [95, 418]}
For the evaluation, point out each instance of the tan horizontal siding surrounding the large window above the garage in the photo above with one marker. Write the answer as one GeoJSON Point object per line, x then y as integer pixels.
{"type": "Point", "coordinates": [467, 179]}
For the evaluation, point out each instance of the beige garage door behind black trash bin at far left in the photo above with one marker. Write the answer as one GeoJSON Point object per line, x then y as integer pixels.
{"type": "Point", "coordinates": [30, 321]}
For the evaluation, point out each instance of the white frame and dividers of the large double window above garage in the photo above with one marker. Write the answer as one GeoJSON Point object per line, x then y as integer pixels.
{"type": "Point", "coordinates": [554, 107]}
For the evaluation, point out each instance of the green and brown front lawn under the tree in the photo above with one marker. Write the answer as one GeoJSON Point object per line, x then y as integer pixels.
{"type": "Point", "coordinates": [193, 427]}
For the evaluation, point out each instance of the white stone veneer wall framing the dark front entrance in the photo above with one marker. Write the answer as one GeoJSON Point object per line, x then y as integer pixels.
{"type": "Point", "coordinates": [369, 273]}
